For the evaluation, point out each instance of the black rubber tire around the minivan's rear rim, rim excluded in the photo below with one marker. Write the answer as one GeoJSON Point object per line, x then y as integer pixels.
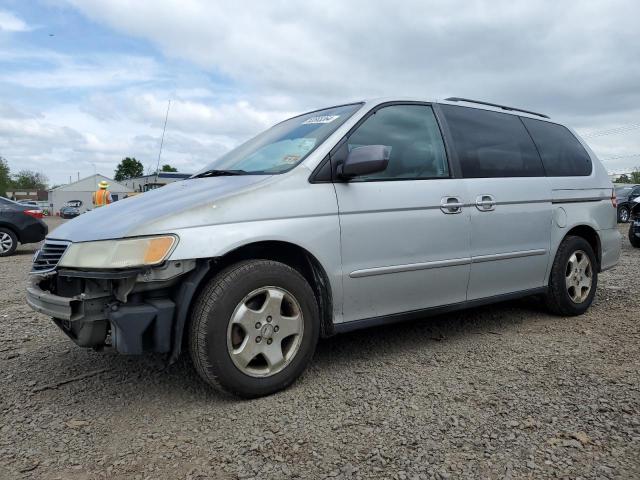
{"type": "Point", "coordinates": [557, 298]}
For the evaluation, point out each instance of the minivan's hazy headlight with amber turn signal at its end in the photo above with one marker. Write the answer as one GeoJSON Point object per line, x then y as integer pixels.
{"type": "Point", "coordinates": [127, 253]}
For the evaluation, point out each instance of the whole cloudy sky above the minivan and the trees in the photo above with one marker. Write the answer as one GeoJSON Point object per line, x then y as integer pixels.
{"type": "Point", "coordinates": [97, 89]}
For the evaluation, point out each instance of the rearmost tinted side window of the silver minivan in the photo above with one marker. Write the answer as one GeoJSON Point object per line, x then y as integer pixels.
{"type": "Point", "coordinates": [562, 154]}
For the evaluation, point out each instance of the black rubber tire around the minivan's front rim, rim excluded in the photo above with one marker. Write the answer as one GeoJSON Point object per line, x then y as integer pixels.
{"type": "Point", "coordinates": [212, 313]}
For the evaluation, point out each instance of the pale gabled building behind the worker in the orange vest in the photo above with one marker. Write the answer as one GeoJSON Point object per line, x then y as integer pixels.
{"type": "Point", "coordinates": [82, 190]}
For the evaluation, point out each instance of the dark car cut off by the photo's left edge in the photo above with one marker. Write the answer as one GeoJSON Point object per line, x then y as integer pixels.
{"type": "Point", "coordinates": [19, 224]}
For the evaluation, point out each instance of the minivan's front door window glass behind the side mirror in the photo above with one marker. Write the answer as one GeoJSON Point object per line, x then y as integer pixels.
{"type": "Point", "coordinates": [412, 134]}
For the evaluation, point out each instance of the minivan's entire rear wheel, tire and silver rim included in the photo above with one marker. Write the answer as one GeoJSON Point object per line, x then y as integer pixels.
{"type": "Point", "coordinates": [574, 278]}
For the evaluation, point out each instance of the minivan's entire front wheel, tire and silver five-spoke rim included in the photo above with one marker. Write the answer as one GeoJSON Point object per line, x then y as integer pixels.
{"type": "Point", "coordinates": [254, 328]}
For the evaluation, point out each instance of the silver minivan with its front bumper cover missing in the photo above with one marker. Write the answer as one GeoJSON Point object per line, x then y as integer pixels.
{"type": "Point", "coordinates": [342, 218]}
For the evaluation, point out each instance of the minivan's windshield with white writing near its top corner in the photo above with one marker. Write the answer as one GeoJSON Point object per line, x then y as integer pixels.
{"type": "Point", "coordinates": [284, 145]}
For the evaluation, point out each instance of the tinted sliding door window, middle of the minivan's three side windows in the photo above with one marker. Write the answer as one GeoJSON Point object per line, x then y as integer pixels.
{"type": "Point", "coordinates": [491, 144]}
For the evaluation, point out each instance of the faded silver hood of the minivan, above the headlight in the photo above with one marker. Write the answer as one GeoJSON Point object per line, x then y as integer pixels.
{"type": "Point", "coordinates": [157, 211]}
